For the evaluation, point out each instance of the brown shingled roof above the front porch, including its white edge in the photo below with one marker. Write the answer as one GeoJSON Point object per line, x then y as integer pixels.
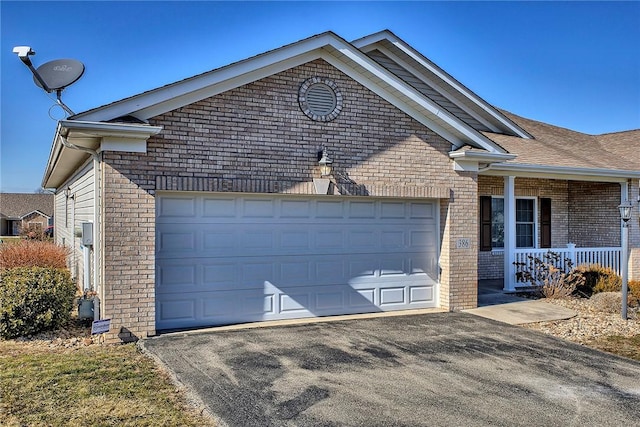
{"type": "Point", "coordinates": [566, 151]}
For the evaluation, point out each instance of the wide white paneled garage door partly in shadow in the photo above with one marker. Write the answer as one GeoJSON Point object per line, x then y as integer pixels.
{"type": "Point", "coordinates": [223, 259]}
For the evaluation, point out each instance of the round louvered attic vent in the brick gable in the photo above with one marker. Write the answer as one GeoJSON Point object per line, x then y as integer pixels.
{"type": "Point", "coordinates": [320, 99]}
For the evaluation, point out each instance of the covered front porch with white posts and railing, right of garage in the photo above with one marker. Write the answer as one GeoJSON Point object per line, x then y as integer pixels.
{"type": "Point", "coordinates": [576, 216]}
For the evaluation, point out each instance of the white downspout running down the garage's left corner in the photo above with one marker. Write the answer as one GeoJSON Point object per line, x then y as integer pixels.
{"type": "Point", "coordinates": [97, 166]}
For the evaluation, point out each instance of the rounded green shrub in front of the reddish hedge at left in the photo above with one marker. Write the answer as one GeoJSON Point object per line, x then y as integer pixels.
{"type": "Point", "coordinates": [34, 299]}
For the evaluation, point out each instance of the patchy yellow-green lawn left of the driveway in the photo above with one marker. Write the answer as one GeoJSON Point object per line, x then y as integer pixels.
{"type": "Point", "coordinates": [87, 386]}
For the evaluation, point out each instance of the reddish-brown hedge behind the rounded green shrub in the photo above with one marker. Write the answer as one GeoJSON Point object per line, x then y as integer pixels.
{"type": "Point", "coordinates": [33, 253]}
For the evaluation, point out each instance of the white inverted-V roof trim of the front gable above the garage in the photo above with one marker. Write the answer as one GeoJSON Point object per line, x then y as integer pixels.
{"type": "Point", "coordinates": [328, 46]}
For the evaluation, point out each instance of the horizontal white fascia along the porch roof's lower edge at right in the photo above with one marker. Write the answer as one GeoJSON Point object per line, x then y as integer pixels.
{"type": "Point", "coordinates": [559, 172]}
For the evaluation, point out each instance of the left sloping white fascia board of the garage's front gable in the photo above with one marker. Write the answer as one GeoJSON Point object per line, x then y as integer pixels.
{"type": "Point", "coordinates": [165, 94]}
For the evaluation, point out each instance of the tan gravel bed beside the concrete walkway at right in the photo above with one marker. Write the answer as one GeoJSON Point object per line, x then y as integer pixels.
{"type": "Point", "coordinates": [596, 317]}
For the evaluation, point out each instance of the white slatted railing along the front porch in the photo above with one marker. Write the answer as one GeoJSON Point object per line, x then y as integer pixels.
{"type": "Point", "coordinates": [606, 257]}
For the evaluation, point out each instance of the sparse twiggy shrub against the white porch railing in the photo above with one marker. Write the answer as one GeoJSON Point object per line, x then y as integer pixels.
{"type": "Point", "coordinates": [550, 277]}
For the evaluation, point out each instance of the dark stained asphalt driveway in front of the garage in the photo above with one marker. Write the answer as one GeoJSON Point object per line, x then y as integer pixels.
{"type": "Point", "coordinates": [418, 370]}
